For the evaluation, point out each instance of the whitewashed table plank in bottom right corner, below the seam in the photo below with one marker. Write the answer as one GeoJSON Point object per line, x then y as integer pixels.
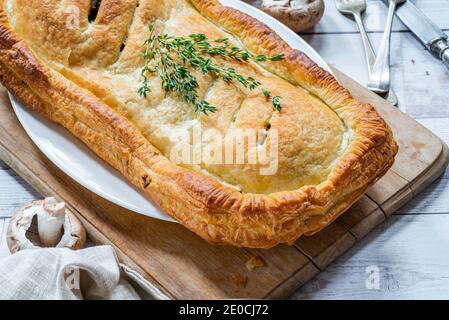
{"type": "Point", "coordinates": [410, 253]}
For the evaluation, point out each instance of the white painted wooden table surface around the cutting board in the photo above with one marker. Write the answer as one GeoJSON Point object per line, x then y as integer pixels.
{"type": "Point", "coordinates": [411, 249]}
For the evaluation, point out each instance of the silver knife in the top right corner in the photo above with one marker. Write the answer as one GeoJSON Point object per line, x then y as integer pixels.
{"type": "Point", "coordinates": [433, 38]}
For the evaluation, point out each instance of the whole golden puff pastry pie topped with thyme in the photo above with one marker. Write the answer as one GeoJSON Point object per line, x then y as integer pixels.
{"type": "Point", "coordinates": [156, 88]}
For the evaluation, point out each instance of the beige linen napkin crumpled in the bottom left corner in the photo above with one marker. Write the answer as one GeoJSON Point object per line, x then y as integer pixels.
{"type": "Point", "coordinates": [92, 273]}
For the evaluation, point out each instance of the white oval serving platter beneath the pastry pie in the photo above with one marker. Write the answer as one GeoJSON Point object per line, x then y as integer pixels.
{"type": "Point", "coordinates": [77, 161]}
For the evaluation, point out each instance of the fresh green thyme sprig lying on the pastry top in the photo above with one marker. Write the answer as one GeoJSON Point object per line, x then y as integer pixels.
{"type": "Point", "coordinates": [172, 57]}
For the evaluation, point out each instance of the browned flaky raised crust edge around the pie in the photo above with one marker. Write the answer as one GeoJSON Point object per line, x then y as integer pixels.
{"type": "Point", "coordinates": [215, 212]}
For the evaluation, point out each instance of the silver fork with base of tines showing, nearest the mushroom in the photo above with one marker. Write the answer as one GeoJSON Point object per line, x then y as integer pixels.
{"type": "Point", "coordinates": [356, 8]}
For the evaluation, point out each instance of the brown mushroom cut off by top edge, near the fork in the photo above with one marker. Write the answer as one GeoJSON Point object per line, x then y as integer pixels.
{"type": "Point", "coordinates": [299, 15]}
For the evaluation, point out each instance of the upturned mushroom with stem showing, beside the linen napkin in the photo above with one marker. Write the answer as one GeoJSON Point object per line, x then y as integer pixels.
{"type": "Point", "coordinates": [45, 223]}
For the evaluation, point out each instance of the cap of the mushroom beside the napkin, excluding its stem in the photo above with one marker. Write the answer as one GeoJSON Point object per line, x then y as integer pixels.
{"type": "Point", "coordinates": [23, 234]}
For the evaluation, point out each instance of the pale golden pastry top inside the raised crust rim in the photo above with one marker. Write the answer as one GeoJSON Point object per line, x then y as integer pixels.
{"type": "Point", "coordinates": [100, 48]}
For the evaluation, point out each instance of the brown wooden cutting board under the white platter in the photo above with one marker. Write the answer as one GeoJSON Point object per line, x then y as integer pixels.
{"type": "Point", "coordinates": [184, 266]}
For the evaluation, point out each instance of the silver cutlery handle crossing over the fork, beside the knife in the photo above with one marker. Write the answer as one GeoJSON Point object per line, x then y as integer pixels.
{"type": "Point", "coordinates": [379, 80]}
